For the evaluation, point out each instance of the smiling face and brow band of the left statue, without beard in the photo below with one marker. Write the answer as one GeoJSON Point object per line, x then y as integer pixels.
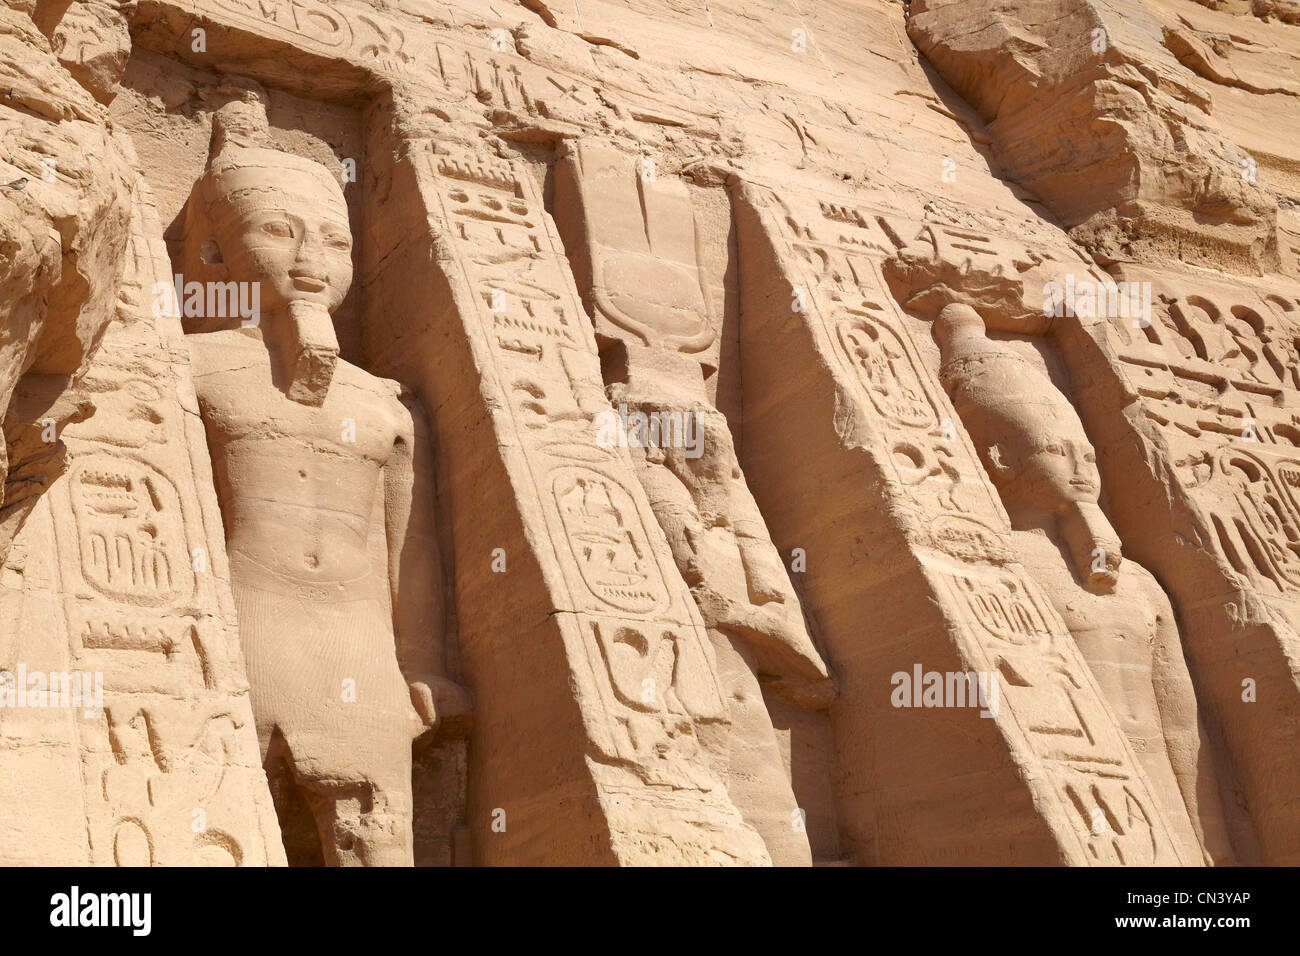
{"type": "Point", "coordinates": [274, 232]}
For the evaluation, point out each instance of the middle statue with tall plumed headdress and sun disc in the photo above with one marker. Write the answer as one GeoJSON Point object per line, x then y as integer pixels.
{"type": "Point", "coordinates": [643, 285]}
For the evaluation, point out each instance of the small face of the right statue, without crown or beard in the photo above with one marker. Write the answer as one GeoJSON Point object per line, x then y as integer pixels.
{"type": "Point", "coordinates": [1047, 468]}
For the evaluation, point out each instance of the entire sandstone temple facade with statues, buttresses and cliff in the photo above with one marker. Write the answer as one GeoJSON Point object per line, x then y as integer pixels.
{"type": "Point", "coordinates": [622, 434]}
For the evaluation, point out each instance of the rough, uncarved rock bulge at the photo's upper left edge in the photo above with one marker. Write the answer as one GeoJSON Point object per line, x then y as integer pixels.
{"type": "Point", "coordinates": [67, 201]}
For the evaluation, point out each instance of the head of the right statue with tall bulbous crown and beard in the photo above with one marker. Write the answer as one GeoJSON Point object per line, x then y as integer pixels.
{"type": "Point", "coordinates": [1029, 436]}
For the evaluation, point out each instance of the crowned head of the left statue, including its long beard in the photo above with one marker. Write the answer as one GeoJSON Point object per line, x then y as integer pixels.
{"type": "Point", "coordinates": [279, 223]}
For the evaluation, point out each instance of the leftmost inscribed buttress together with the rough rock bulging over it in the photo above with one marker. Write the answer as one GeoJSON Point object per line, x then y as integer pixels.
{"type": "Point", "coordinates": [138, 747]}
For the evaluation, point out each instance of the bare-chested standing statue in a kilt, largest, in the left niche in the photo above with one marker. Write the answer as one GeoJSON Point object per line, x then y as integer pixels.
{"type": "Point", "coordinates": [326, 498]}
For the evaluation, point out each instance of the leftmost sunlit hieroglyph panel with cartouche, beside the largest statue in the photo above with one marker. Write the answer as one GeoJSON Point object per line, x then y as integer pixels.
{"type": "Point", "coordinates": [171, 769]}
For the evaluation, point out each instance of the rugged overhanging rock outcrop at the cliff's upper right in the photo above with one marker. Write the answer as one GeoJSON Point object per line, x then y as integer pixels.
{"type": "Point", "coordinates": [1155, 176]}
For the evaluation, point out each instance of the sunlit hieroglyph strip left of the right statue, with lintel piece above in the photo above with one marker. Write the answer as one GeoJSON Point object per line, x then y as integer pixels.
{"type": "Point", "coordinates": [1046, 684]}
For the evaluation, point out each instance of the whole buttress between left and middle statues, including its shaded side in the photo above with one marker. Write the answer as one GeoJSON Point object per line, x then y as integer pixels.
{"type": "Point", "coordinates": [600, 729]}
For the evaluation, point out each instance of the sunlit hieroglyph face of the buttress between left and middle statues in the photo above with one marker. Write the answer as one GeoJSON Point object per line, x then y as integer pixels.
{"type": "Point", "coordinates": [656, 684]}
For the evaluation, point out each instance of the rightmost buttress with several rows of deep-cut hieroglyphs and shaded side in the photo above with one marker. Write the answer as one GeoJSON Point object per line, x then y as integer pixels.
{"type": "Point", "coordinates": [1197, 403]}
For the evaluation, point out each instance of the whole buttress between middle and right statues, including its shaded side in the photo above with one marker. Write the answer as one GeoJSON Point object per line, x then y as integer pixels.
{"type": "Point", "coordinates": [911, 568]}
